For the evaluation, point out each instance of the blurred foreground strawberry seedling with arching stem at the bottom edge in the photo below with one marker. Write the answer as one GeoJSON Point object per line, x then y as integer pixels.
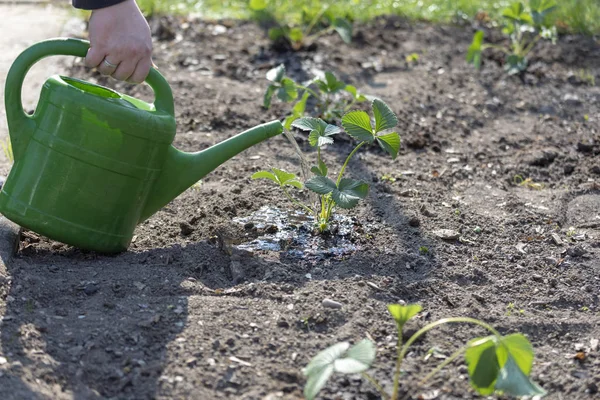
{"type": "Point", "coordinates": [495, 363]}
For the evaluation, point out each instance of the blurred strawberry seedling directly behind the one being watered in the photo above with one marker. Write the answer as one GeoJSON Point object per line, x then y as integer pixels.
{"type": "Point", "coordinates": [333, 97]}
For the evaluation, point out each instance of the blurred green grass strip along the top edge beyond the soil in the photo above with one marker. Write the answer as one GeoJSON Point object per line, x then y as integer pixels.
{"type": "Point", "coordinates": [581, 16]}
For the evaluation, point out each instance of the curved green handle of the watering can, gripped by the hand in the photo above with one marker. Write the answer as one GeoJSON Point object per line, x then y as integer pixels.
{"type": "Point", "coordinates": [71, 47]}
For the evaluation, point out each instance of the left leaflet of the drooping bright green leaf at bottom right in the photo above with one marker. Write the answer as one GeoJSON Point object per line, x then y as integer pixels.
{"type": "Point", "coordinates": [482, 363]}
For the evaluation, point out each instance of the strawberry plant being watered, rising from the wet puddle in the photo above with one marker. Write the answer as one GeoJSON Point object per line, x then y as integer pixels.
{"type": "Point", "coordinates": [343, 192]}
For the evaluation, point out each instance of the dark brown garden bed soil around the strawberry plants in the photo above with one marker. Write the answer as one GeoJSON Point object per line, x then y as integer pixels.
{"type": "Point", "coordinates": [165, 319]}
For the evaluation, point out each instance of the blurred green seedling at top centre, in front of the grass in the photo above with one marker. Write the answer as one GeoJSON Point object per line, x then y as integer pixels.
{"type": "Point", "coordinates": [303, 30]}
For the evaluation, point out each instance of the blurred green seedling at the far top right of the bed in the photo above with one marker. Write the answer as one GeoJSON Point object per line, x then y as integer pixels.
{"type": "Point", "coordinates": [524, 29]}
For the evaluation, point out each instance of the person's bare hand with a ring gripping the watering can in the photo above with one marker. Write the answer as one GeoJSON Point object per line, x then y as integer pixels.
{"type": "Point", "coordinates": [120, 42]}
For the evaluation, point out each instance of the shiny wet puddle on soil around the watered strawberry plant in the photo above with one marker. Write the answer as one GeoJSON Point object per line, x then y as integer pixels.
{"type": "Point", "coordinates": [291, 232]}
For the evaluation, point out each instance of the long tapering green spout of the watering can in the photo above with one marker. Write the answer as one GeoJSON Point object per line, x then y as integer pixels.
{"type": "Point", "coordinates": [181, 170]}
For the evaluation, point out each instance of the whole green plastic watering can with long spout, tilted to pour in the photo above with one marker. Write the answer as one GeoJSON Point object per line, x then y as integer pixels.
{"type": "Point", "coordinates": [91, 163]}
